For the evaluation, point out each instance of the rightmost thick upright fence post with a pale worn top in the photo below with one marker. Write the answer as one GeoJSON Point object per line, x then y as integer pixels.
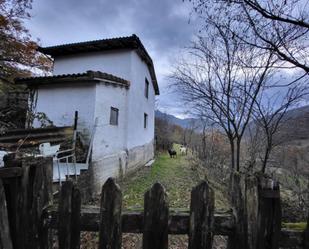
{"type": "Point", "coordinates": [269, 216]}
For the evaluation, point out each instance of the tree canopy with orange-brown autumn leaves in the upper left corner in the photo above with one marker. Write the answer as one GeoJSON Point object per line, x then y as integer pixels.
{"type": "Point", "coordinates": [18, 56]}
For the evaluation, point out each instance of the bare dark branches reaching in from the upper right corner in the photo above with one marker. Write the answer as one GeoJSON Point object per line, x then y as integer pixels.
{"type": "Point", "coordinates": [274, 25]}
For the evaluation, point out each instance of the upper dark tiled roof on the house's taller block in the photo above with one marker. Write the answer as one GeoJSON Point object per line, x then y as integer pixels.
{"type": "Point", "coordinates": [130, 42]}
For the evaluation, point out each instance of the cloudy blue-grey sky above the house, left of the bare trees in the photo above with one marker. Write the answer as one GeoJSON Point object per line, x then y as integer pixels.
{"type": "Point", "coordinates": [164, 26]}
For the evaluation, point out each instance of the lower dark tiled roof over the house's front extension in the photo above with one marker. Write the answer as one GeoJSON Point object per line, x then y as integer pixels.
{"type": "Point", "coordinates": [89, 76]}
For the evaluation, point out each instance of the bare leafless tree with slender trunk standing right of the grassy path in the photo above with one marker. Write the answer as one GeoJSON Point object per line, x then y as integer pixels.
{"type": "Point", "coordinates": [218, 84]}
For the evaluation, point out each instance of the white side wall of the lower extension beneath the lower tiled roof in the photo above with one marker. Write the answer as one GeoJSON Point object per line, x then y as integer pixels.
{"type": "Point", "coordinates": [60, 102]}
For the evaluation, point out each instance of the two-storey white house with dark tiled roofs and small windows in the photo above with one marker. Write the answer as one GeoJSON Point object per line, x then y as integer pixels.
{"type": "Point", "coordinates": [113, 81]}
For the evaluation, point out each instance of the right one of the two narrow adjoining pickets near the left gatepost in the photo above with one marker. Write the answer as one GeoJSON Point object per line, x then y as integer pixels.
{"type": "Point", "coordinates": [75, 224]}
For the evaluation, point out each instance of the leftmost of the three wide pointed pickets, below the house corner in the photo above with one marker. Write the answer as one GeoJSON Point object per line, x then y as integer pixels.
{"type": "Point", "coordinates": [110, 235]}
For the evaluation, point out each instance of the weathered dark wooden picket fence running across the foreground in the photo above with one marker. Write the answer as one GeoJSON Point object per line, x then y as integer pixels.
{"type": "Point", "coordinates": [27, 214]}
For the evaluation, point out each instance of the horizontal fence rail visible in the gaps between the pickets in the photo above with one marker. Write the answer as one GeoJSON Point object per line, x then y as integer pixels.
{"type": "Point", "coordinates": [132, 221]}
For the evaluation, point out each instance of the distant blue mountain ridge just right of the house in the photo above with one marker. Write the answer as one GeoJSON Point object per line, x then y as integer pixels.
{"type": "Point", "coordinates": [184, 123]}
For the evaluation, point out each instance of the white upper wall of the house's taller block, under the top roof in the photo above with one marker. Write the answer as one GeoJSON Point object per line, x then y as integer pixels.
{"type": "Point", "coordinates": [128, 65]}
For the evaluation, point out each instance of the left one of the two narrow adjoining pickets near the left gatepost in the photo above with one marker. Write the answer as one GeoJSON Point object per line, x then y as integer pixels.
{"type": "Point", "coordinates": [65, 212]}
